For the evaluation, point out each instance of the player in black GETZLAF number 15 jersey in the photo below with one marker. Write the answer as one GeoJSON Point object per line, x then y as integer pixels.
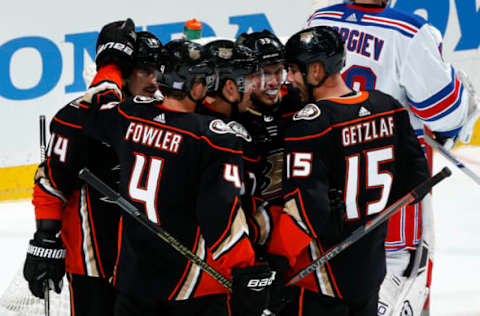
{"type": "Point", "coordinates": [359, 143]}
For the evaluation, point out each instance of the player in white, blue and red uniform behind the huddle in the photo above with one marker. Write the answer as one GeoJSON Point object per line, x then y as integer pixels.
{"type": "Point", "coordinates": [401, 54]}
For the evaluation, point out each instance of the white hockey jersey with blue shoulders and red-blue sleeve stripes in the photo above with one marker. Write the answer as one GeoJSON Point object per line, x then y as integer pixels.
{"type": "Point", "coordinates": [400, 54]}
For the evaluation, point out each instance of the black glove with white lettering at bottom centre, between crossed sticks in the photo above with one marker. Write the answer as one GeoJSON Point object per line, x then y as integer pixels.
{"type": "Point", "coordinates": [251, 290]}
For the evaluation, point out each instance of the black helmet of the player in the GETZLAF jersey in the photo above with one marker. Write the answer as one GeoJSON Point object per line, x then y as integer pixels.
{"type": "Point", "coordinates": [316, 44]}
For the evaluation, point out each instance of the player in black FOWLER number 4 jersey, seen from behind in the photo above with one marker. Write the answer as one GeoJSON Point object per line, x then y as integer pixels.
{"type": "Point", "coordinates": [183, 170]}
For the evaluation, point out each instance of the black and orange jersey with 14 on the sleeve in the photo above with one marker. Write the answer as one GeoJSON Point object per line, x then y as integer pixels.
{"type": "Point", "coordinates": [89, 223]}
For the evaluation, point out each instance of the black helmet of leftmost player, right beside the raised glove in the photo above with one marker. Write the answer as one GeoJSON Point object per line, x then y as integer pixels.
{"type": "Point", "coordinates": [148, 49]}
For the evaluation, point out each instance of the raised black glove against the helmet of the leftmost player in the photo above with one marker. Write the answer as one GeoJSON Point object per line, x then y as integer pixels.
{"type": "Point", "coordinates": [115, 44]}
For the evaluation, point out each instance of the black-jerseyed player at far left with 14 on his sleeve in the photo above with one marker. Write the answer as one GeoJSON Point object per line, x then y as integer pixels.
{"type": "Point", "coordinates": [87, 223]}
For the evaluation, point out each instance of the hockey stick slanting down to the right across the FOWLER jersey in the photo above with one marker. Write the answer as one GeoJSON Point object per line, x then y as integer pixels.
{"type": "Point", "coordinates": [131, 210]}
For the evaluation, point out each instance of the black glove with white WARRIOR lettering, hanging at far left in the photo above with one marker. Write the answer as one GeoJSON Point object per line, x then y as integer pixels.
{"type": "Point", "coordinates": [45, 261]}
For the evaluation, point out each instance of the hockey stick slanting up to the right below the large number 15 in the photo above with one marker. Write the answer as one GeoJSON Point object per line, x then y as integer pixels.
{"type": "Point", "coordinates": [418, 192]}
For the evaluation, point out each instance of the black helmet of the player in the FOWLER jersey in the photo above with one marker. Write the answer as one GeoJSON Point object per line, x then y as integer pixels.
{"type": "Point", "coordinates": [182, 63]}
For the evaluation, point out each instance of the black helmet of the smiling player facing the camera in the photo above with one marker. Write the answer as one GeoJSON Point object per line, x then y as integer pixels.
{"type": "Point", "coordinates": [268, 48]}
